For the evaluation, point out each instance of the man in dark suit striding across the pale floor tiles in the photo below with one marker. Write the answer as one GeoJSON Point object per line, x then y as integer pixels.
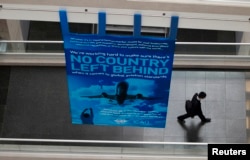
{"type": "Point", "coordinates": [195, 109]}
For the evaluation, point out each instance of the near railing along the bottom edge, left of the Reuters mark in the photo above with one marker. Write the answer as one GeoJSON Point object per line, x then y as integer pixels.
{"type": "Point", "coordinates": [86, 149]}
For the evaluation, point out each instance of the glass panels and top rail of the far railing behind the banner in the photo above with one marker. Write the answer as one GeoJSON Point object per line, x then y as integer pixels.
{"type": "Point", "coordinates": [185, 48]}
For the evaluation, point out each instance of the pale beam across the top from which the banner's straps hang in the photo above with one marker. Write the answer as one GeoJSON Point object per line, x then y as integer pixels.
{"type": "Point", "coordinates": [231, 15]}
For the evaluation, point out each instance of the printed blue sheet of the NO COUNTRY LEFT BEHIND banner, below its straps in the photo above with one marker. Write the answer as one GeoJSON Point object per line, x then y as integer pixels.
{"type": "Point", "coordinates": [118, 80]}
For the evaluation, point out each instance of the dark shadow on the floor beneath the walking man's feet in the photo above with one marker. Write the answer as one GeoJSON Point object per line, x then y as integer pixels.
{"type": "Point", "coordinates": [192, 131]}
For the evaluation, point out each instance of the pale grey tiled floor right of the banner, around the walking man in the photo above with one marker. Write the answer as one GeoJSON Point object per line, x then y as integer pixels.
{"type": "Point", "coordinates": [225, 104]}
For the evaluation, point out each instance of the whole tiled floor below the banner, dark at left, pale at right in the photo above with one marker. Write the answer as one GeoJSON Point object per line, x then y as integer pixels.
{"type": "Point", "coordinates": [37, 107]}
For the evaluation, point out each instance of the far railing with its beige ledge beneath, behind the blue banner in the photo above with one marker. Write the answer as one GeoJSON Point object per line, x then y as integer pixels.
{"type": "Point", "coordinates": [193, 55]}
